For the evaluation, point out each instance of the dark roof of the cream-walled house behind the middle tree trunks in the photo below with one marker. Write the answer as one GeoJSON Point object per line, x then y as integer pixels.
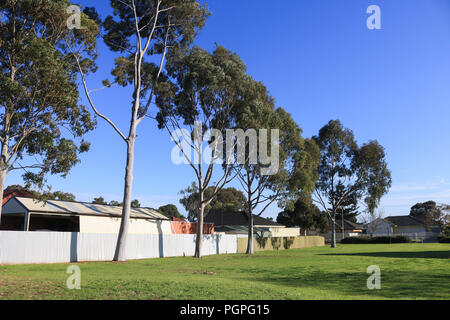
{"type": "Point", "coordinates": [238, 219]}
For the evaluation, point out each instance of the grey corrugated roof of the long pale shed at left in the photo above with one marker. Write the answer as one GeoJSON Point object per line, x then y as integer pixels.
{"type": "Point", "coordinates": [83, 208]}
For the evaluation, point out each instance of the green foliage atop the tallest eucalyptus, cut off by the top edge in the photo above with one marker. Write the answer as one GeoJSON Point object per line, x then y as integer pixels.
{"type": "Point", "coordinates": [176, 25]}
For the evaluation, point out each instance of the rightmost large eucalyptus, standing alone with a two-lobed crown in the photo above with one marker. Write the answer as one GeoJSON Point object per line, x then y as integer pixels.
{"type": "Point", "coordinates": [362, 171]}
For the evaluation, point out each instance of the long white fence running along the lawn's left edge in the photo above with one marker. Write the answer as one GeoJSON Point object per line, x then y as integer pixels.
{"type": "Point", "coordinates": [18, 247]}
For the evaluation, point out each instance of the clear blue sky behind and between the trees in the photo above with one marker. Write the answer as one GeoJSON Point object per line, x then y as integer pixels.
{"type": "Point", "coordinates": [320, 62]}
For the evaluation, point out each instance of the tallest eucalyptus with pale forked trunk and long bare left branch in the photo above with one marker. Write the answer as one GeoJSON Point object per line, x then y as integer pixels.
{"type": "Point", "coordinates": [141, 32]}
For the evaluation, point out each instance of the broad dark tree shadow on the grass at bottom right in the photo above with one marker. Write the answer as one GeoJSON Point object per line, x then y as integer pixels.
{"type": "Point", "coordinates": [394, 284]}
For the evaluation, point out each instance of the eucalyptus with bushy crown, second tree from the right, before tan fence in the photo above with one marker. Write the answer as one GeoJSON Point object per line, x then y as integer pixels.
{"type": "Point", "coordinates": [296, 158]}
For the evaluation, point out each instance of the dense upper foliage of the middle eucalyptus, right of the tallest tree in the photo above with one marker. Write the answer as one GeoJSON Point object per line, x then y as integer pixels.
{"type": "Point", "coordinates": [206, 88]}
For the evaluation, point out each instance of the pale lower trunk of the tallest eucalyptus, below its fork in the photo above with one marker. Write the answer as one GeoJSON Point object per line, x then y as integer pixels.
{"type": "Point", "coordinates": [126, 209]}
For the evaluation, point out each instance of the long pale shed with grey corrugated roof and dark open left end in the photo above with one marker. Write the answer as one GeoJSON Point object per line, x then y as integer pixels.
{"type": "Point", "coordinates": [28, 214]}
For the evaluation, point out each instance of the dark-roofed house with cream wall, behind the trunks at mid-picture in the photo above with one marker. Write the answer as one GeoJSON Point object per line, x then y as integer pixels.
{"type": "Point", "coordinates": [237, 223]}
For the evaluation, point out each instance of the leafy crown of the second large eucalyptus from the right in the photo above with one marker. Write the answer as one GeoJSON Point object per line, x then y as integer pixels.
{"type": "Point", "coordinates": [298, 158]}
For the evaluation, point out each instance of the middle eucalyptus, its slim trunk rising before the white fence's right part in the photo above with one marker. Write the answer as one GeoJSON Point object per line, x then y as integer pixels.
{"type": "Point", "coordinates": [196, 108]}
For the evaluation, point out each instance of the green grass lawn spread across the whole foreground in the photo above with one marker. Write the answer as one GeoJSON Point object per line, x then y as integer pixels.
{"type": "Point", "coordinates": [408, 271]}
